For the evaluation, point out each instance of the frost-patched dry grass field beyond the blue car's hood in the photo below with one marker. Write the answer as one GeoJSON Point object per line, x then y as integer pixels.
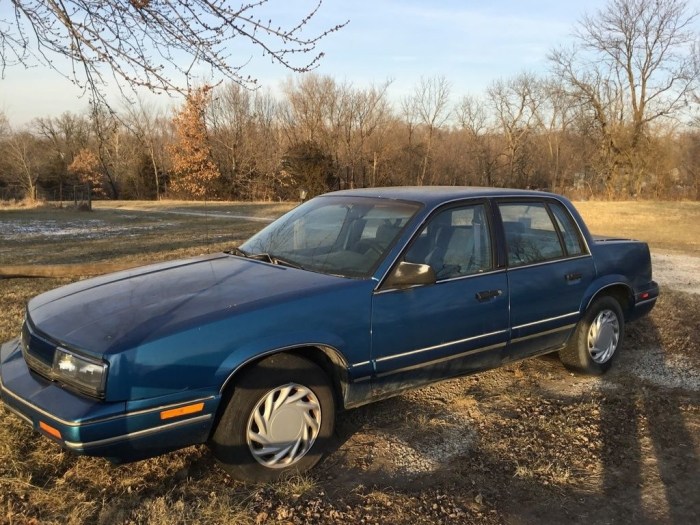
{"type": "Point", "coordinates": [123, 236]}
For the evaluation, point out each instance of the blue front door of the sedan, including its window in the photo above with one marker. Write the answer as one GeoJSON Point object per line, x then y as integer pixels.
{"type": "Point", "coordinates": [457, 325]}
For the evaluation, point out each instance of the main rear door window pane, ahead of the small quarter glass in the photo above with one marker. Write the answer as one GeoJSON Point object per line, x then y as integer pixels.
{"type": "Point", "coordinates": [531, 236]}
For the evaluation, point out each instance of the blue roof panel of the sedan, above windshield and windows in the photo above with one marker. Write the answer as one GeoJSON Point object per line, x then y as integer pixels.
{"type": "Point", "coordinates": [433, 195]}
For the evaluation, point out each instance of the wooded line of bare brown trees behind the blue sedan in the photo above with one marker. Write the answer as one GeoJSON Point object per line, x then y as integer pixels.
{"type": "Point", "coordinates": [614, 118]}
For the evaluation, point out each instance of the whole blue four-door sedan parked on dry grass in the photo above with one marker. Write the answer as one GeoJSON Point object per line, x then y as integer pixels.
{"type": "Point", "coordinates": [351, 297]}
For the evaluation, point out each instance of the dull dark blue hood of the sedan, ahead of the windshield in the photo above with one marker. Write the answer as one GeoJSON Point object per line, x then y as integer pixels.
{"type": "Point", "coordinates": [119, 311]}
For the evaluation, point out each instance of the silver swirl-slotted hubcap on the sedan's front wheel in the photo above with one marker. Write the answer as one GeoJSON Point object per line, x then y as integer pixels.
{"type": "Point", "coordinates": [284, 425]}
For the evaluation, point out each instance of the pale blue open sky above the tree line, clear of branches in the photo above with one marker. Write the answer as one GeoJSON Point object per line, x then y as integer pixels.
{"type": "Point", "coordinates": [471, 43]}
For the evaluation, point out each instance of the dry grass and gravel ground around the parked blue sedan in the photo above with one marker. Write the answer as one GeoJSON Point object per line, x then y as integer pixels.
{"type": "Point", "coordinates": [527, 443]}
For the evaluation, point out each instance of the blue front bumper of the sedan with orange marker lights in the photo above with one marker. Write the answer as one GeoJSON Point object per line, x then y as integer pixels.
{"type": "Point", "coordinates": [122, 431]}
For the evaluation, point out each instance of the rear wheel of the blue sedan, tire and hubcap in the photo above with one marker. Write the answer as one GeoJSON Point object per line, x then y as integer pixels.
{"type": "Point", "coordinates": [597, 340]}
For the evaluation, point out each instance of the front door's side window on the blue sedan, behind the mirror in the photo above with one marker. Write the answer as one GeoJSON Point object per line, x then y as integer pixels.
{"type": "Point", "coordinates": [455, 243]}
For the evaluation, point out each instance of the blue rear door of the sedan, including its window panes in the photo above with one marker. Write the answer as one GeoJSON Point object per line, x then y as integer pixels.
{"type": "Point", "coordinates": [549, 269]}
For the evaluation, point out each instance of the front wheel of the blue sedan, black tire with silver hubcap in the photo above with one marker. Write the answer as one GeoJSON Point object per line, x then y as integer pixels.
{"type": "Point", "coordinates": [277, 422]}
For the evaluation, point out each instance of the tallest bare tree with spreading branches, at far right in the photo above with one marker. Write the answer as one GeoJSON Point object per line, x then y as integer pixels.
{"type": "Point", "coordinates": [632, 66]}
